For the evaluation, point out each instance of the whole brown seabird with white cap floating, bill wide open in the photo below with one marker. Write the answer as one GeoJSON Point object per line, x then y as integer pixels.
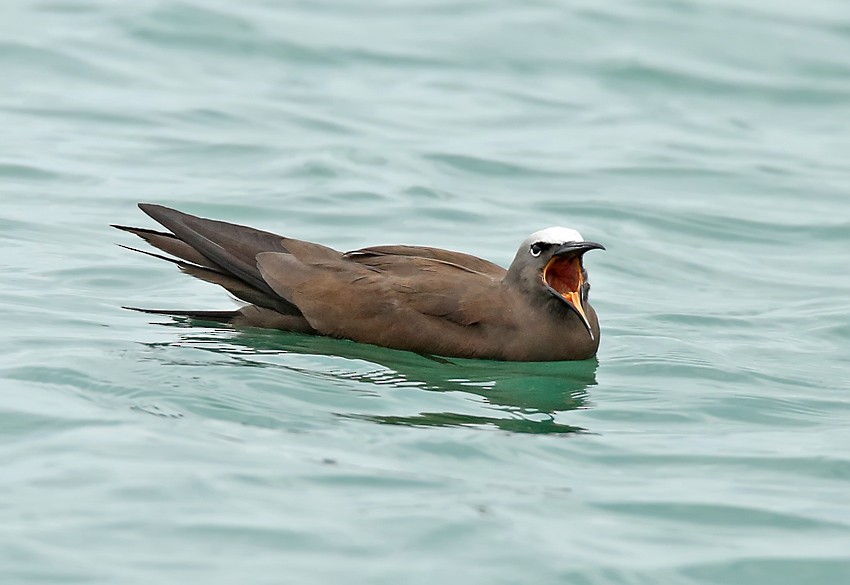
{"type": "Point", "coordinates": [414, 298]}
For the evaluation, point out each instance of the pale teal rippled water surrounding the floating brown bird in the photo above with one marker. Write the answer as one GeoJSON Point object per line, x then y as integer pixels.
{"type": "Point", "coordinates": [704, 143]}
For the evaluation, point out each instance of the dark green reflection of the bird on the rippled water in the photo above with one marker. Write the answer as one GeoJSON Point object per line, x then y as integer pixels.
{"type": "Point", "coordinates": [525, 397]}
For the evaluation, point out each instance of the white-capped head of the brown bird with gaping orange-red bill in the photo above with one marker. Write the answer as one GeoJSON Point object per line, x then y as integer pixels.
{"type": "Point", "coordinates": [550, 263]}
